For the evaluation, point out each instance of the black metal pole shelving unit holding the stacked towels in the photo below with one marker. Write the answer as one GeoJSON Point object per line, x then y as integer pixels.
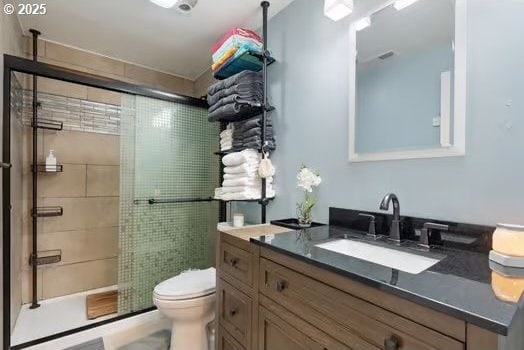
{"type": "Point", "coordinates": [265, 59]}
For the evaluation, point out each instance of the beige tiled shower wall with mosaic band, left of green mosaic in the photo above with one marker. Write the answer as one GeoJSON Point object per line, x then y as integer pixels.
{"type": "Point", "coordinates": [87, 189]}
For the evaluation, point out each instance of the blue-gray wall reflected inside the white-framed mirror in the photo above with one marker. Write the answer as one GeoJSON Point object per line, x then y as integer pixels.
{"type": "Point", "coordinates": [400, 96]}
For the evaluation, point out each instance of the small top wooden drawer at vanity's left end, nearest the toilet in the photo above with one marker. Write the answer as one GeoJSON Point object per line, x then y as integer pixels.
{"type": "Point", "coordinates": [236, 263]}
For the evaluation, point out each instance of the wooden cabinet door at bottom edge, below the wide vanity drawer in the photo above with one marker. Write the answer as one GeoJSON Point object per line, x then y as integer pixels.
{"type": "Point", "coordinates": [275, 334]}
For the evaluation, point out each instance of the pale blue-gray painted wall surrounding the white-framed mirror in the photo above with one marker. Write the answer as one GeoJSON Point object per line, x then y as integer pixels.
{"type": "Point", "coordinates": [309, 87]}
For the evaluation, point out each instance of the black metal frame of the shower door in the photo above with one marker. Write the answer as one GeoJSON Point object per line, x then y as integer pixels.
{"type": "Point", "coordinates": [17, 64]}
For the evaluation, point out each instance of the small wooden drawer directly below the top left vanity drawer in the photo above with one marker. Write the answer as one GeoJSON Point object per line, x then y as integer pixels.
{"type": "Point", "coordinates": [235, 312]}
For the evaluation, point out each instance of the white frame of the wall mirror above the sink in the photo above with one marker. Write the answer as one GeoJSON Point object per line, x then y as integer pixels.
{"type": "Point", "coordinates": [458, 146]}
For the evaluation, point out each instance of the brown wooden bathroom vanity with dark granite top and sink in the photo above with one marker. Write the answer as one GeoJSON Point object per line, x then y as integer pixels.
{"type": "Point", "coordinates": [282, 289]}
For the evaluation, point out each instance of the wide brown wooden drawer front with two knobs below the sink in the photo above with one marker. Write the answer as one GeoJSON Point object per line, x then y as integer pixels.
{"type": "Point", "coordinates": [313, 300]}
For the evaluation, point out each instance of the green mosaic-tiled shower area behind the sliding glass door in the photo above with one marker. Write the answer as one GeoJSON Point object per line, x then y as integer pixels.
{"type": "Point", "coordinates": [166, 153]}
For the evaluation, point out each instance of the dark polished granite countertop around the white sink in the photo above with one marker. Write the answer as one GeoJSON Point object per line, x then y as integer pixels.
{"type": "Point", "coordinates": [458, 285]}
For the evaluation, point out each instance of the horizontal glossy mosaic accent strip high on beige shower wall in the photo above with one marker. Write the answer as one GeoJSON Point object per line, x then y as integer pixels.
{"type": "Point", "coordinates": [76, 114]}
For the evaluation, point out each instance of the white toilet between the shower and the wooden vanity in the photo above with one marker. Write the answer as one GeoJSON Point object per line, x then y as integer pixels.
{"type": "Point", "coordinates": [188, 300]}
